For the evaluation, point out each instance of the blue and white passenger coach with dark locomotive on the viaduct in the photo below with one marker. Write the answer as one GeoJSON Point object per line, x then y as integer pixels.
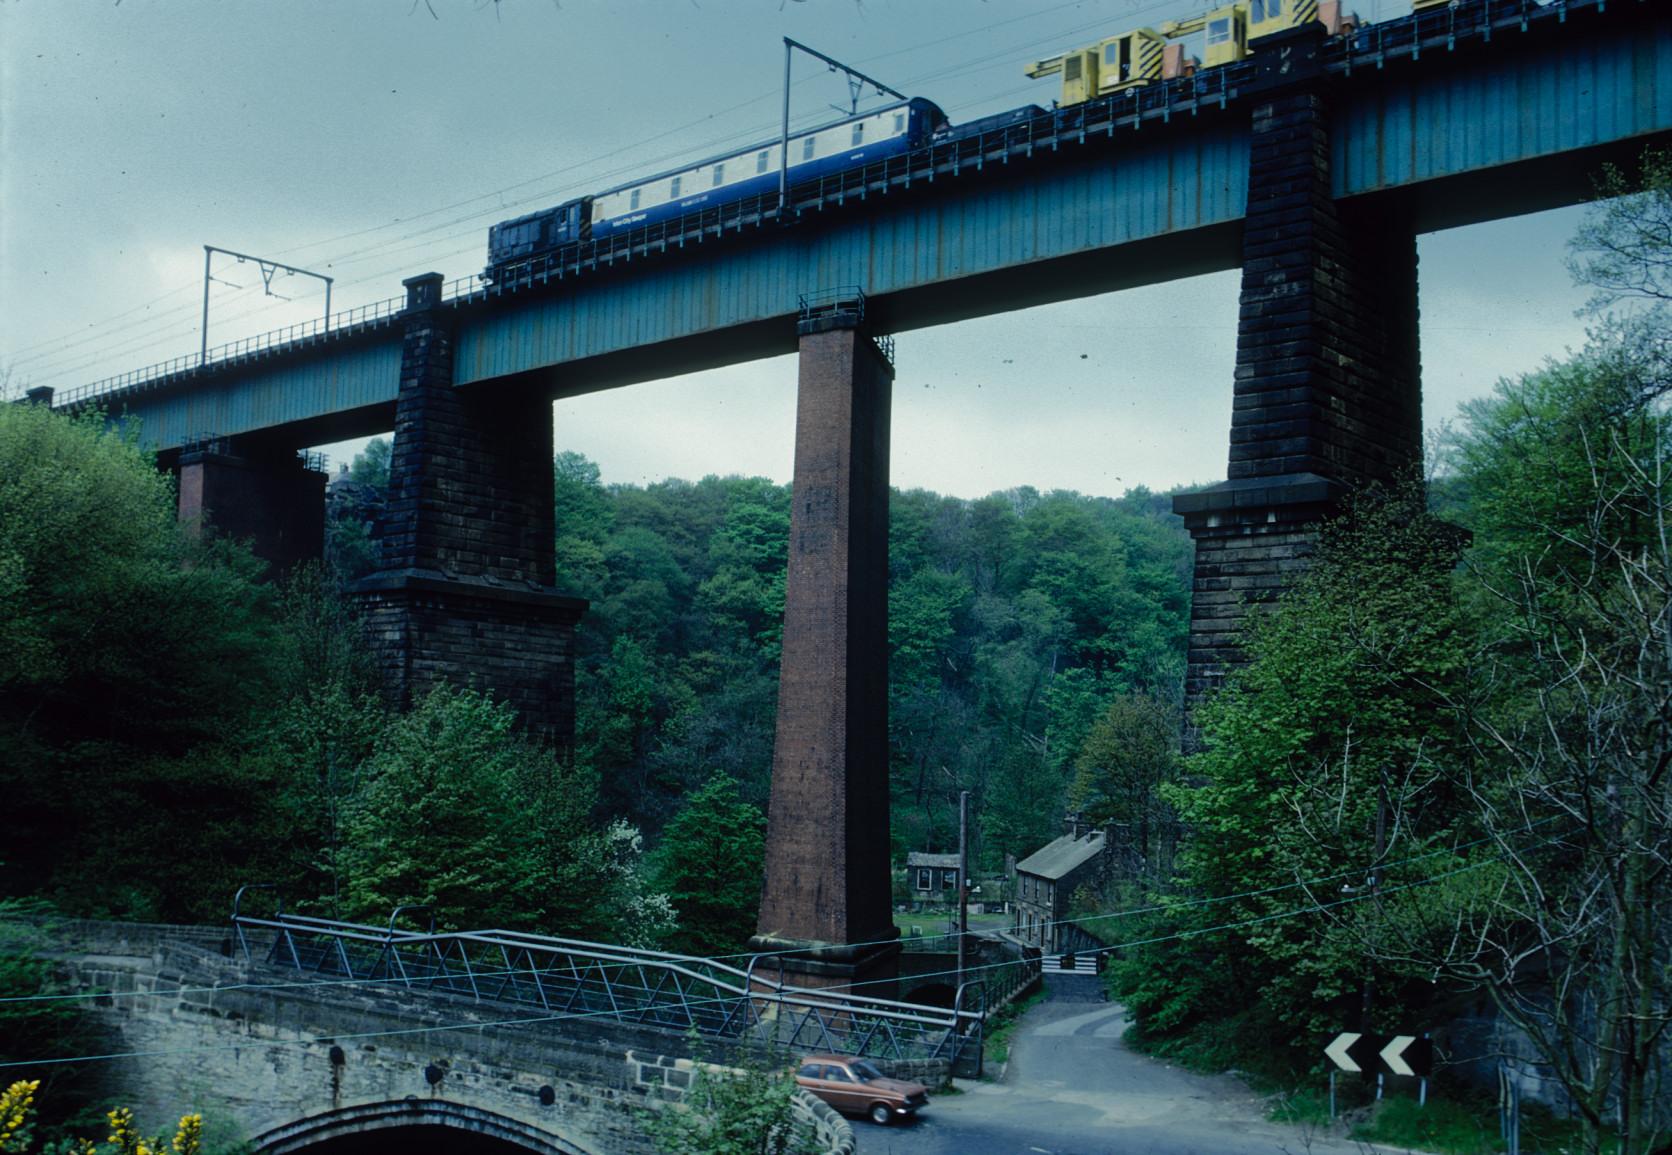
{"type": "Point", "coordinates": [718, 181]}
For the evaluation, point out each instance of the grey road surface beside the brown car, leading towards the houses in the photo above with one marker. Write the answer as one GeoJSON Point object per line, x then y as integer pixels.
{"type": "Point", "coordinates": [1074, 1089]}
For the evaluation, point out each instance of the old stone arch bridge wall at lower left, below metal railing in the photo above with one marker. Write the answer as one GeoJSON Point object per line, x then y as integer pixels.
{"type": "Point", "coordinates": [290, 1062]}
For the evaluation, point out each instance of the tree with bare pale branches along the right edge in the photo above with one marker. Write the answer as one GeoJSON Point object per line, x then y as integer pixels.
{"type": "Point", "coordinates": [1567, 474]}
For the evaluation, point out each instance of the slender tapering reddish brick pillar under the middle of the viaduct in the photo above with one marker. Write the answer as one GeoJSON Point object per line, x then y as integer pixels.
{"type": "Point", "coordinates": [827, 855]}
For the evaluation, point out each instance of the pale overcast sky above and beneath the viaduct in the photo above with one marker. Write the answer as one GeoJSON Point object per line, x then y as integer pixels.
{"type": "Point", "coordinates": [372, 141]}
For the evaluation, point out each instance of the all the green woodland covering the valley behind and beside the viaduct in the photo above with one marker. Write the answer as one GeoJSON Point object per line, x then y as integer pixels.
{"type": "Point", "coordinates": [1439, 786]}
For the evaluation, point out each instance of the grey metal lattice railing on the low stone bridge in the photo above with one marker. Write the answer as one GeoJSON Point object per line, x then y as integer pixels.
{"type": "Point", "coordinates": [571, 979]}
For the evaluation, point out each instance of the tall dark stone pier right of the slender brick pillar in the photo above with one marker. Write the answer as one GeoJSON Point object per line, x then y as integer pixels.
{"type": "Point", "coordinates": [1327, 392]}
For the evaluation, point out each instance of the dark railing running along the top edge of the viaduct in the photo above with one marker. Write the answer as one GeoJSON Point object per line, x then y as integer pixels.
{"type": "Point", "coordinates": [1370, 46]}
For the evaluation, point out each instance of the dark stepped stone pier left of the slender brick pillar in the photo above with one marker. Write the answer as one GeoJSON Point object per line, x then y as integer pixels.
{"type": "Point", "coordinates": [466, 591]}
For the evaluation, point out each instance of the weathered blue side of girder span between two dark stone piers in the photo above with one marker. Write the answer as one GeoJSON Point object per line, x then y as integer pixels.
{"type": "Point", "coordinates": [1144, 186]}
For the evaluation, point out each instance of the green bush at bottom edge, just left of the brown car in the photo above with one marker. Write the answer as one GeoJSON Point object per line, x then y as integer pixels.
{"type": "Point", "coordinates": [733, 1112]}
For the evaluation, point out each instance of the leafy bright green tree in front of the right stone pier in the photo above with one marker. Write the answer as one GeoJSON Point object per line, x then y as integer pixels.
{"type": "Point", "coordinates": [1335, 711]}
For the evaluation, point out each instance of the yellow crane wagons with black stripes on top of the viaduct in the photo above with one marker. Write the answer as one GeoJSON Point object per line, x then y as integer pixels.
{"type": "Point", "coordinates": [1144, 56]}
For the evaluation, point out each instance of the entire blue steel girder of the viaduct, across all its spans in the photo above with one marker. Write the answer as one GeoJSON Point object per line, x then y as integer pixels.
{"type": "Point", "coordinates": [1496, 128]}
